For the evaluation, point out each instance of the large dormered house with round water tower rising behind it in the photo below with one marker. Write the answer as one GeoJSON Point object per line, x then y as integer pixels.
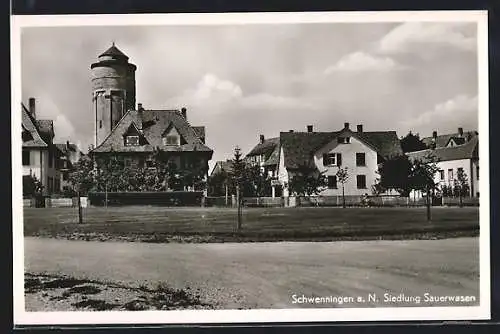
{"type": "Point", "coordinates": [138, 135]}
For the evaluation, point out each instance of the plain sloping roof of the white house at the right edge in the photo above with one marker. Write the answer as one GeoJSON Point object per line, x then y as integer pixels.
{"type": "Point", "coordinates": [469, 150]}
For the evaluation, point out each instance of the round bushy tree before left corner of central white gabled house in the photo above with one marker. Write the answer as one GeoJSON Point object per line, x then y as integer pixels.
{"type": "Point", "coordinates": [307, 180]}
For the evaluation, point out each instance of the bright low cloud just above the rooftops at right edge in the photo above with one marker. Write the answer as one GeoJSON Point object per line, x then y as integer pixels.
{"type": "Point", "coordinates": [460, 110]}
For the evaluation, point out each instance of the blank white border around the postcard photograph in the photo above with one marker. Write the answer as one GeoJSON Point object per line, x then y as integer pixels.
{"type": "Point", "coordinates": [21, 317]}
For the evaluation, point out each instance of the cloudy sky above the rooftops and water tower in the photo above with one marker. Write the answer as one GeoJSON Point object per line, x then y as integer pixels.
{"type": "Point", "coordinates": [240, 81]}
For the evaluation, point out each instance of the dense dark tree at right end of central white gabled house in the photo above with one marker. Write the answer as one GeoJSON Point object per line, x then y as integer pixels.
{"type": "Point", "coordinates": [395, 174]}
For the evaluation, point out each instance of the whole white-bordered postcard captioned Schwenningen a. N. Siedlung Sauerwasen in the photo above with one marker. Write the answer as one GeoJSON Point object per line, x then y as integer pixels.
{"type": "Point", "coordinates": [201, 168]}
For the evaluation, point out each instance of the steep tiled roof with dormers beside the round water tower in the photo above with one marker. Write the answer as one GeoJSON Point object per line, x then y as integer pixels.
{"type": "Point", "coordinates": [152, 124]}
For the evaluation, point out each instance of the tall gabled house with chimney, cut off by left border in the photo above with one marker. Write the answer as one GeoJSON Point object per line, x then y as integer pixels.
{"type": "Point", "coordinates": [40, 156]}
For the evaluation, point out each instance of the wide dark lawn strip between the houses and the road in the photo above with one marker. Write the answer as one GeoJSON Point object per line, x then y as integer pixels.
{"type": "Point", "coordinates": [160, 224]}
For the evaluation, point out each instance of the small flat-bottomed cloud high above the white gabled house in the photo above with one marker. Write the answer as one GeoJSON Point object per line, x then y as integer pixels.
{"type": "Point", "coordinates": [361, 61]}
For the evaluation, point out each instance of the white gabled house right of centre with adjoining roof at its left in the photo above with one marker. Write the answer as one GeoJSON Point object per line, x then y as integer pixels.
{"type": "Point", "coordinates": [361, 152]}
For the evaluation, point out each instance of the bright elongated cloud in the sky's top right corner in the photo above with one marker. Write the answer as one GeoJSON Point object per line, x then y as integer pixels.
{"type": "Point", "coordinates": [420, 36]}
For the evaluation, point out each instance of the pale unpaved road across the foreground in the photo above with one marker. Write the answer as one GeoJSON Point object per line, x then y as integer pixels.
{"type": "Point", "coordinates": [267, 275]}
